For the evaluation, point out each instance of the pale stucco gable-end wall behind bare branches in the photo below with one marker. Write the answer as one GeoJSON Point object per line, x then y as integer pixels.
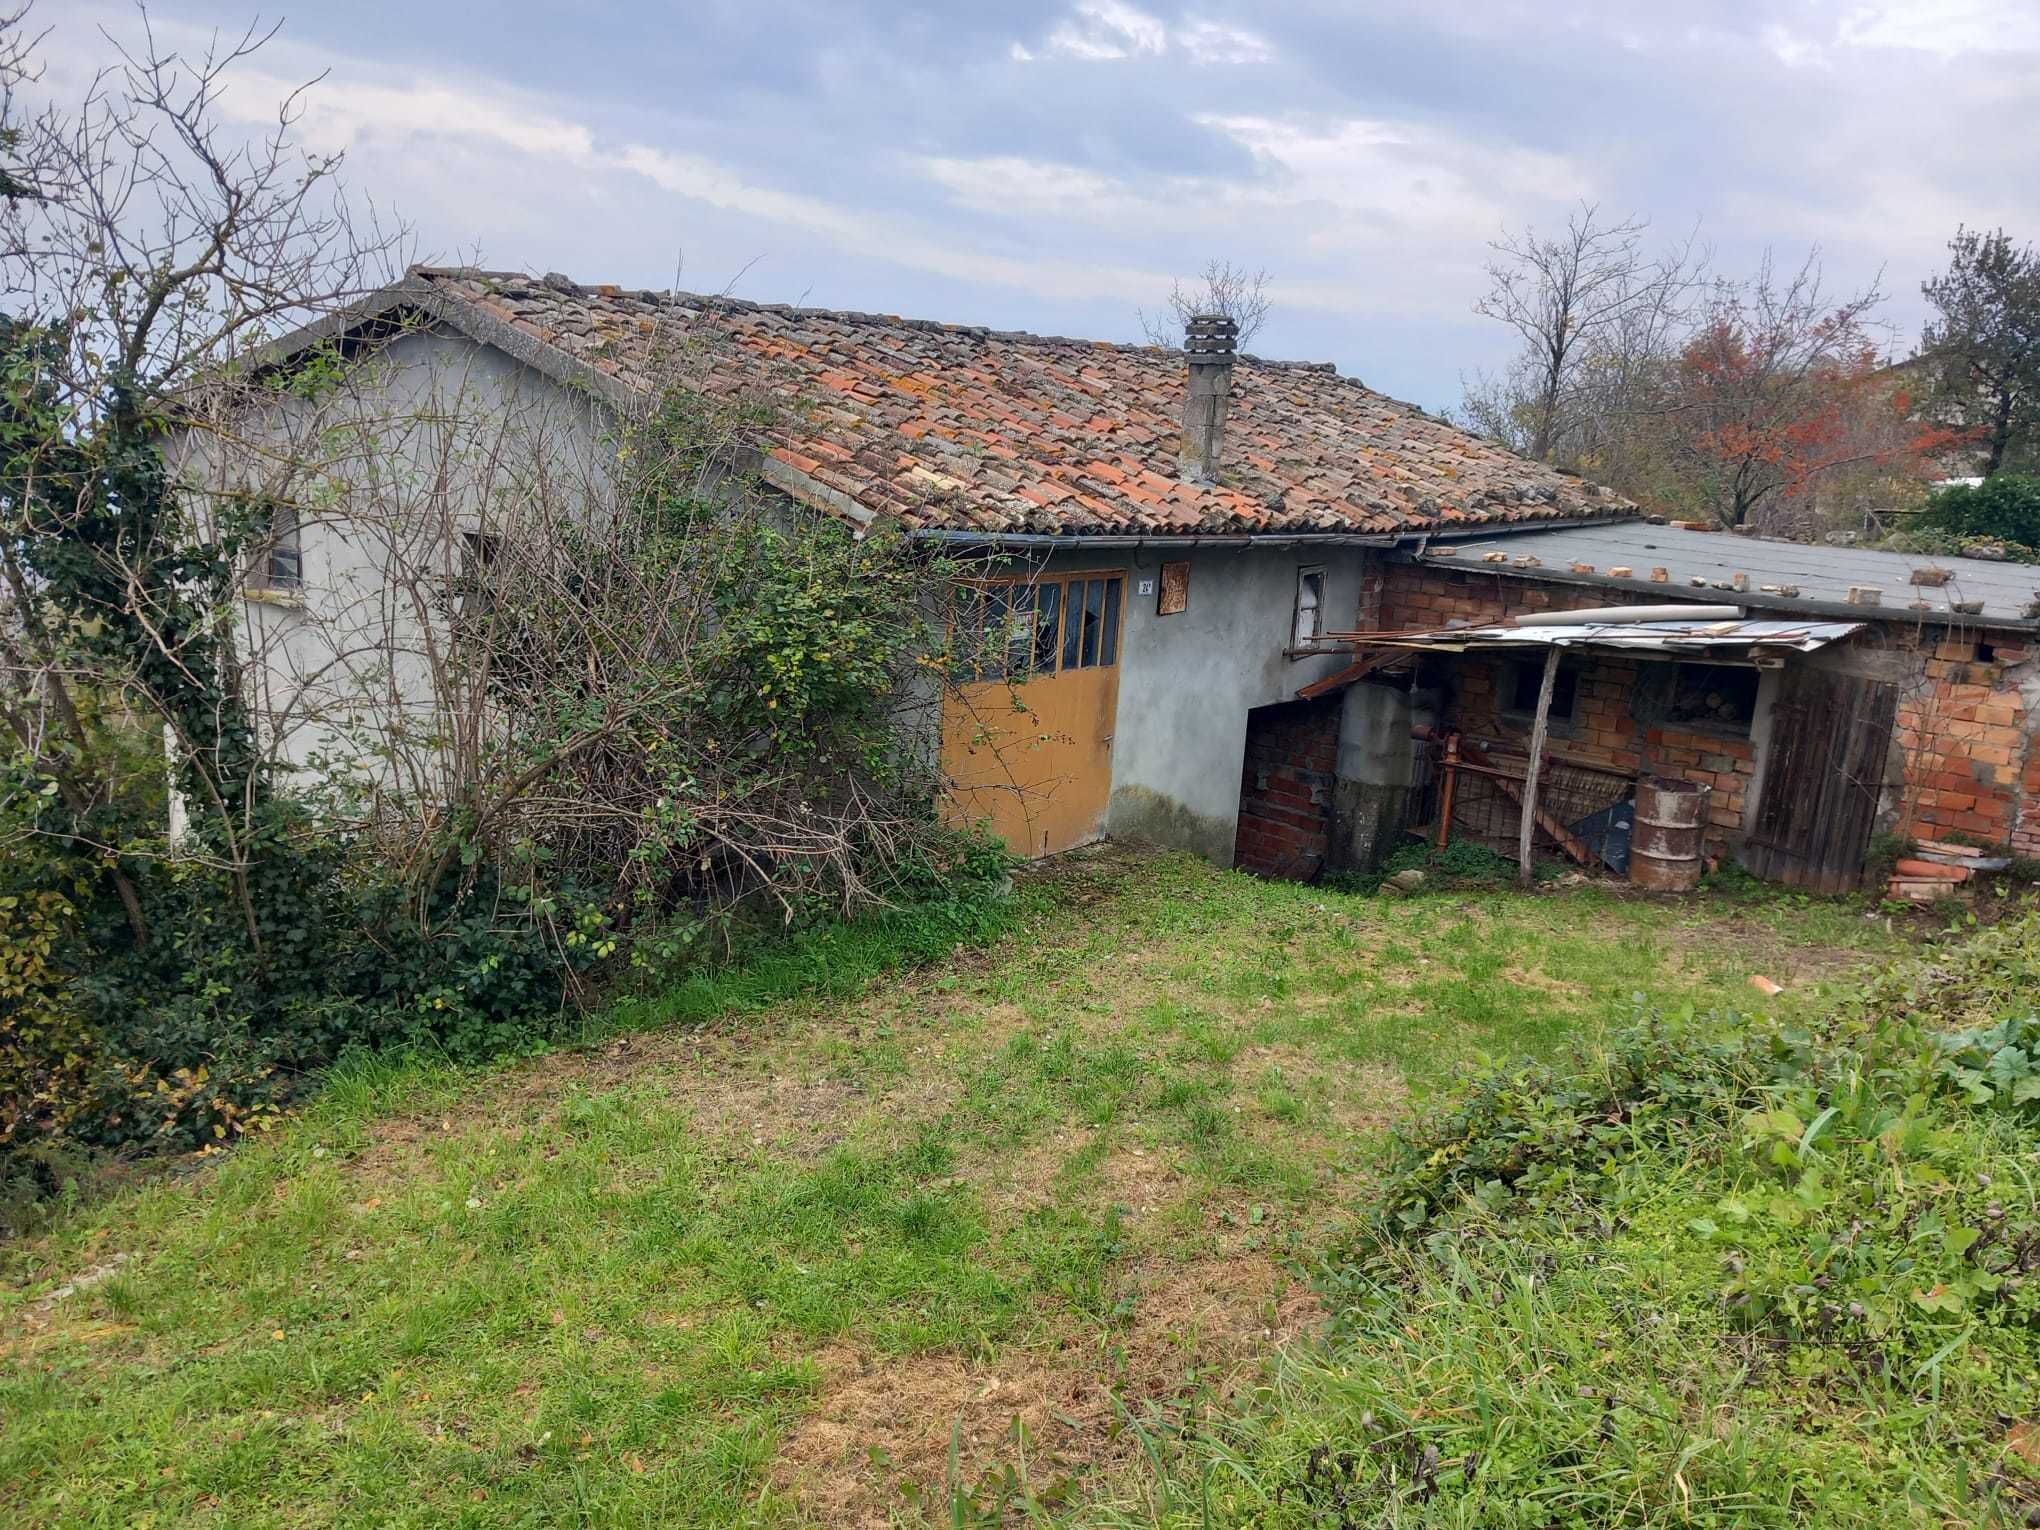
{"type": "Point", "coordinates": [419, 444]}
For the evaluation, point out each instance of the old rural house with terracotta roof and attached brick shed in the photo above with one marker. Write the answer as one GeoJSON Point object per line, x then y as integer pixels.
{"type": "Point", "coordinates": [1198, 550]}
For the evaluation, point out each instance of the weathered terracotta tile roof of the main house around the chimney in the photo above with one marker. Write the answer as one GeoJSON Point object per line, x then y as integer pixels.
{"type": "Point", "coordinates": [970, 429]}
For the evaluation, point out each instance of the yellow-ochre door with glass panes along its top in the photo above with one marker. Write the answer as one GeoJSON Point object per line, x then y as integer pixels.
{"type": "Point", "coordinates": [1029, 744]}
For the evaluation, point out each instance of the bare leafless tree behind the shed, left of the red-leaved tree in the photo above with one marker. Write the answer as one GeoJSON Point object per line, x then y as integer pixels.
{"type": "Point", "coordinates": [1592, 311]}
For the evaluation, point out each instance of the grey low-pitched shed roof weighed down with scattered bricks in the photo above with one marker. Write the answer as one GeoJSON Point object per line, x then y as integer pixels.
{"type": "Point", "coordinates": [1702, 566]}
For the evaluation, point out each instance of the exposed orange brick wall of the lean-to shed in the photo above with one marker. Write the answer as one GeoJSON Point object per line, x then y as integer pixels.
{"type": "Point", "coordinates": [1966, 731]}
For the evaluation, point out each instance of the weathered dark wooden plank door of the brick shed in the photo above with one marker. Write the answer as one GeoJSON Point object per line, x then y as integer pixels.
{"type": "Point", "coordinates": [1831, 737]}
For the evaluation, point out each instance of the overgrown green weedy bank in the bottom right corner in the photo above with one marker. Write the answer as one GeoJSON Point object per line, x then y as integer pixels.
{"type": "Point", "coordinates": [1721, 1272]}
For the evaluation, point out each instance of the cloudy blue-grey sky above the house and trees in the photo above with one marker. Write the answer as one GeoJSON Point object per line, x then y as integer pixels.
{"type": "Point", "coordinates": [1054, 166]}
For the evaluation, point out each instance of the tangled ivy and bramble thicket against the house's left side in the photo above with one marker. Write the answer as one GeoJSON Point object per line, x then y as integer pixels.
{"type": "Point", "coordinates": [697, 723]}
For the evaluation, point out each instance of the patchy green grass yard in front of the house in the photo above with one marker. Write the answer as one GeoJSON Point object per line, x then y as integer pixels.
{"type": "Point", "coordinates": [809, 1262]}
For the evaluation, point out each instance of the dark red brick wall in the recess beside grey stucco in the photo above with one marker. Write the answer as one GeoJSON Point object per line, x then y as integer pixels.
{"type": "Point", "coordinates": [1286, 788]}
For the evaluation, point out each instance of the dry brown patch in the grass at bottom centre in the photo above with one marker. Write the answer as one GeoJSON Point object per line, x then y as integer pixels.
{"type": "Point", "coordinates": [884, 1427]}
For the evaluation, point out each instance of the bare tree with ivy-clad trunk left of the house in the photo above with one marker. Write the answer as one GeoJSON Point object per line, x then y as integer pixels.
{"type": "Point", "coordinates": [146, 256]}
